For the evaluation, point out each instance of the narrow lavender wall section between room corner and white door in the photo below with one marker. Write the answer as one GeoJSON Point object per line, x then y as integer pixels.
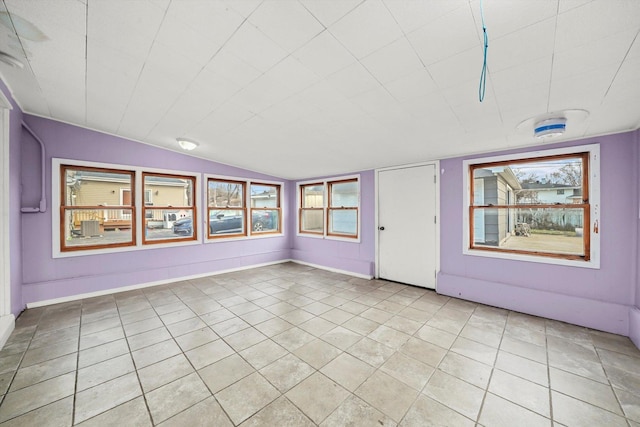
{"type": "Point", "coordinates": [343, 255]}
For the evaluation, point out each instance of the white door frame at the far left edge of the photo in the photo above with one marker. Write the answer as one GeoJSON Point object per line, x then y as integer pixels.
{"type": "Point", "coordinates": [7, 320]}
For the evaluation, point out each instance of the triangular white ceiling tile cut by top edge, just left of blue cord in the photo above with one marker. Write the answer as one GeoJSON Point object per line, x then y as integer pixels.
{"type": "Point", "coordinates": [412, 15]}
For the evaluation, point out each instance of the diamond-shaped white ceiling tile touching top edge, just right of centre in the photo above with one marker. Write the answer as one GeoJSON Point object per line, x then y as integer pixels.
{"type": "Point", "coordinates": [367, 28]}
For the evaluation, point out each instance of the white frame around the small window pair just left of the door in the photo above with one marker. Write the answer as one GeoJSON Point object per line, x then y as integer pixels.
{"type": "Point", "coordinates": [325, 232]}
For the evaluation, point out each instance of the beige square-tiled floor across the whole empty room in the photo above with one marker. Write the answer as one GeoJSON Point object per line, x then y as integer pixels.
{"type": "Point", "coordinates": [289, 345]}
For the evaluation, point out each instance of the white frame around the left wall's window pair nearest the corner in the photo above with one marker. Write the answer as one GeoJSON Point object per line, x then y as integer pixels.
{"type": "Point", "coordinates": [247, 195]}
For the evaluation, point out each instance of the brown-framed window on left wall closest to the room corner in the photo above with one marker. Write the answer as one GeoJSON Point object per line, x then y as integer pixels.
{"type": "Point", "coordinates": [265, 208]}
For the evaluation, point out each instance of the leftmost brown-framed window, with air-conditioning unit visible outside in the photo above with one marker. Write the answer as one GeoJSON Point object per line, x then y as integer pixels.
{"type": "Point", "coordinates": [97, 208]}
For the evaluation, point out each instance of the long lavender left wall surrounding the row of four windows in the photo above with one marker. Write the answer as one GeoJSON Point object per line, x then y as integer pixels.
{"type": "Point", "coordinates": [46, 278]}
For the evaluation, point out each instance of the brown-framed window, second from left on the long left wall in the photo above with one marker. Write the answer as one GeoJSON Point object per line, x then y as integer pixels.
{"type": "Point", "coordinates": [172, 215]}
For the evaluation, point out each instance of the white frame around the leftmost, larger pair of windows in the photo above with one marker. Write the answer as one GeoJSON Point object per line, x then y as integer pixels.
{"type": "Point", "coordinates": [57, 163]}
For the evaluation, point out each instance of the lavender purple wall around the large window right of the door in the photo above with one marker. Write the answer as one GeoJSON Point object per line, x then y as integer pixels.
{"type": "Point", "coordinates": [599, 299]}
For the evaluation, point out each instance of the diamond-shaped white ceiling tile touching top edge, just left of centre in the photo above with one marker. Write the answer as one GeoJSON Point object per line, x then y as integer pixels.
{"type": "Point", "coordinates": [289, 24]}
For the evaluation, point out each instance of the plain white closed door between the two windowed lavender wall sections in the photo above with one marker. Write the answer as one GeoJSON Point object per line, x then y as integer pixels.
{"type": "Point", "coordinates": [407, 239]}
